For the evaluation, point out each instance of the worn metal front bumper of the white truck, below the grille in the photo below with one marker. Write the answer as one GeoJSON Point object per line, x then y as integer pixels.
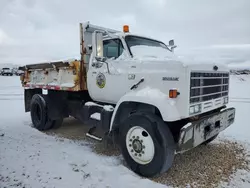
{"type": "Point", "coordinates": [197, 132]}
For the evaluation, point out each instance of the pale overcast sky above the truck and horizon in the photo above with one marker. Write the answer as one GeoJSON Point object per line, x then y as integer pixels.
{"type": "Point", "coordinates": [37, 30]}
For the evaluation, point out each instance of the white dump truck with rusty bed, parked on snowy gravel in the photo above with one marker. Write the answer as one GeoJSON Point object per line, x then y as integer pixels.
{"type": "Point", "coordinates": [134, 90]}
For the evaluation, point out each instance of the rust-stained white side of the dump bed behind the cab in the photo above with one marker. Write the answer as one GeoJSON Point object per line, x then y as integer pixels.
{"type": "Point", "coordinates": [62, 75]}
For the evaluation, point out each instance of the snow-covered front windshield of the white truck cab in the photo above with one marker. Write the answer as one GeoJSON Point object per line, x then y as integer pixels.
{"type": "Point", "coordinates": [143, 47]}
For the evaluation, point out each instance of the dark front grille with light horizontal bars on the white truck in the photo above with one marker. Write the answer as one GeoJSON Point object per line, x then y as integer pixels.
{"type": "Point", "coordinates": [206, 86]}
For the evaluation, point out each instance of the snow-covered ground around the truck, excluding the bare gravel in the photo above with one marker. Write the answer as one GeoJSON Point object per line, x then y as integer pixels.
{"type": "Point", "coordinates": [29, 158]}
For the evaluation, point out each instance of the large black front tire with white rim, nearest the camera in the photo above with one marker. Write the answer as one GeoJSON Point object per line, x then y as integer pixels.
{"type": "Point", "coordinates": [147, 144]}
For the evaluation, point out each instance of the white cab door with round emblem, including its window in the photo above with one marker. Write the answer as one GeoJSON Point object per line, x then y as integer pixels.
{"type": "Point", "coordinates": [108, 82]}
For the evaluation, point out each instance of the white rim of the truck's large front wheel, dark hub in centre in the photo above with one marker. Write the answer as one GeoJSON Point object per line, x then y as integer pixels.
{"type": "Point", "coordinates": [140, 145]}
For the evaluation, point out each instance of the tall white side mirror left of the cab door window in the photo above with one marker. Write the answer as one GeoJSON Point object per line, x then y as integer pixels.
{"type": "Point", "coordinates": [97, 42]}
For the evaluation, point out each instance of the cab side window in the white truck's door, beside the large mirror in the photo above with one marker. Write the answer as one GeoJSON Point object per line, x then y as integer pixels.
{"type": "Point", "coordinates": [112, 48]}
